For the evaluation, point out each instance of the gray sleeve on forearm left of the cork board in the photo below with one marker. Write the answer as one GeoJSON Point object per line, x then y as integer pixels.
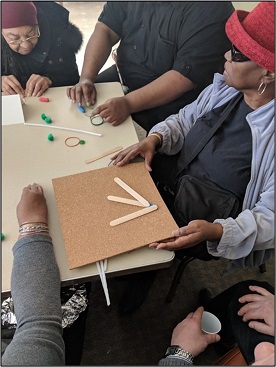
{"type": "Point", "coordinates": [35, 285]}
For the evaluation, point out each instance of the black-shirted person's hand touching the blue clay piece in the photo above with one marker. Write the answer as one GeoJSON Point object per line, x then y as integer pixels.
{"type": "Point", "coordinates": [84, 88]}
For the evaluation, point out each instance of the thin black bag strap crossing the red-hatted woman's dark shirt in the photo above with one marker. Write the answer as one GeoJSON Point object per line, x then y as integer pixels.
{"type": "Point", "coordinates": [201, 144]}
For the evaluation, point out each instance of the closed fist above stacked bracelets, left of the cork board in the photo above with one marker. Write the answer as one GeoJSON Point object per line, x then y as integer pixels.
{"type": "Point", "coordinates": [32, 207]}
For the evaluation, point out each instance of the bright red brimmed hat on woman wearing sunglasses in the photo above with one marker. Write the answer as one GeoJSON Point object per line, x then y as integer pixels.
{"type": "Point", "coordinates": [253, 33]}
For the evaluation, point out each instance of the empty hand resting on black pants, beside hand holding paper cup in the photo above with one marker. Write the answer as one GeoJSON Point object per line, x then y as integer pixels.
{"type": "Point", "coordinates": [259, 306]}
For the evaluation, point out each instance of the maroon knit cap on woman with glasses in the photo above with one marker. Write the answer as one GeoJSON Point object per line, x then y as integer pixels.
{"type": "Point", "coordinates": [18, 13]}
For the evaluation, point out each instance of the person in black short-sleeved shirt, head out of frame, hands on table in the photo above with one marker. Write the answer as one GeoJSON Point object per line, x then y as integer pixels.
{"type": "Point", "coordinates": [168, 53]}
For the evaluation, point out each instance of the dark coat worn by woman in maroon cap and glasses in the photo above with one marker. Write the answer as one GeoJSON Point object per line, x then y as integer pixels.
{"type": "Point", "coordinates": [54, 54]}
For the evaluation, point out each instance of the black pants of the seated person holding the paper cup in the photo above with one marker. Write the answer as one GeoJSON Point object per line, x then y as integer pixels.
{"type": "Point", "coordinates": [225, 306]}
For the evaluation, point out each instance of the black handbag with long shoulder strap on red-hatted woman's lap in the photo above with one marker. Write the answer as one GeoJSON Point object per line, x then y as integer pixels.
{"type": "Point", "coordinates": [198, 198]}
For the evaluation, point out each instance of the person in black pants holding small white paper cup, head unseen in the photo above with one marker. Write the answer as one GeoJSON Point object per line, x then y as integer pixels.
{"type": "Point", "coordinates": [246, 312]}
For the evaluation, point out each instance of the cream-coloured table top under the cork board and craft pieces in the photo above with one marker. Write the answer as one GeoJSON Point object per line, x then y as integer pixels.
{"type": "Point", "coordinates": [28, 157]}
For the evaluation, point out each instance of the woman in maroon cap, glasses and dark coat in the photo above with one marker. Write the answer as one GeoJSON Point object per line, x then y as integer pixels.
{"type": "Point", "coordinates": [38, 47]}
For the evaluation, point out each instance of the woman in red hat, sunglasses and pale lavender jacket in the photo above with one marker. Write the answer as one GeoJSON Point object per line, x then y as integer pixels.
{"type": "Point", "coordinates": [238, 158]}
